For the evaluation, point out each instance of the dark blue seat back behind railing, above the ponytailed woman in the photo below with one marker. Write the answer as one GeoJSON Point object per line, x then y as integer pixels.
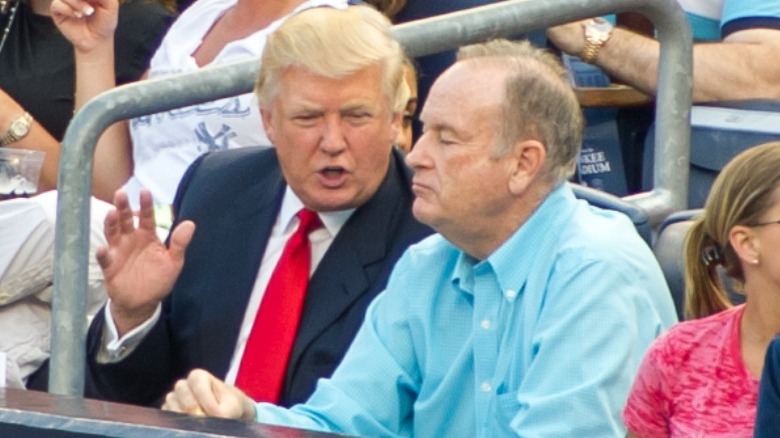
{"type": "Point", "coordinates": [718, 133]}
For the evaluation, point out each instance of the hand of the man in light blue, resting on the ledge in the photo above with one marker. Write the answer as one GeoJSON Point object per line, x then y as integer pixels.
{"type": "Point", "coordinates": [203, 395]}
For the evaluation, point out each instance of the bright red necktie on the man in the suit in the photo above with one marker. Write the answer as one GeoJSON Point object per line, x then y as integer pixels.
{"type": "Point", "coordinates": [270, 342]}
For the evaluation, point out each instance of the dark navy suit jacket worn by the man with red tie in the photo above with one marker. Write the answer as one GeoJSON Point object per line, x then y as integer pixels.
{"type": "Point", "coordinates": [233, 197]}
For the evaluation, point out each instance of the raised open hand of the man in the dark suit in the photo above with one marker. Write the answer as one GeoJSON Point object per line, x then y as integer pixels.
{"type": "Point", "coordinates": [139, 269]}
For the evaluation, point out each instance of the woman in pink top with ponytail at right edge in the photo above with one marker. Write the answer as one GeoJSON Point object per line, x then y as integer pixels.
{"type": "Point", "coordinates": [700, 379]}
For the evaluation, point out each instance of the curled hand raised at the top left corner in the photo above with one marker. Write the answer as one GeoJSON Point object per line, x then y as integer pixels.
{"type": "Point", "coordinates": [86, 23]}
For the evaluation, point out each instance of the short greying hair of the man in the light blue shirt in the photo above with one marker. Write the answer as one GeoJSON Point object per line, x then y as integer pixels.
{"type": "Point", "coordinates": [540, 103]}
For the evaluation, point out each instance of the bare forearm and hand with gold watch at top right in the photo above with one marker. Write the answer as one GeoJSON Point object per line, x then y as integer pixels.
{"type": "Point", "coordinates": [736, 68]}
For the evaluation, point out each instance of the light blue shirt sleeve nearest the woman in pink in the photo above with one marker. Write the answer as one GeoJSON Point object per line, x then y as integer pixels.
{"type": "Point", "coordinates": [586, 350]}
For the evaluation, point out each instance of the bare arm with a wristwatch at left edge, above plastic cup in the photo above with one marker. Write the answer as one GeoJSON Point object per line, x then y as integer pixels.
{"type": "Point", "coordinates": [37, 139]}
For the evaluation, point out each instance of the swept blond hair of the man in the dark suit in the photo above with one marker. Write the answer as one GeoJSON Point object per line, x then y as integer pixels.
{"type": "Point", "coordinates": [333, 43]}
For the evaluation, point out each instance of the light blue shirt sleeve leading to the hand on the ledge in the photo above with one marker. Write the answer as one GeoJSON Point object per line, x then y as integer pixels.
{"type": "Point", "coordinates": [372, 392]}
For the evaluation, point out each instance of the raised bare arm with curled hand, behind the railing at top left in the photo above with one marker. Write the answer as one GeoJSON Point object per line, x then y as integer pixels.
{"type": "Point", "coordinates": [92, 35]}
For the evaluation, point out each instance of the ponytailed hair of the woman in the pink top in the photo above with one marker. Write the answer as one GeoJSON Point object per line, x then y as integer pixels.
{"type": "Point", "coordinates": [740, 195]}
